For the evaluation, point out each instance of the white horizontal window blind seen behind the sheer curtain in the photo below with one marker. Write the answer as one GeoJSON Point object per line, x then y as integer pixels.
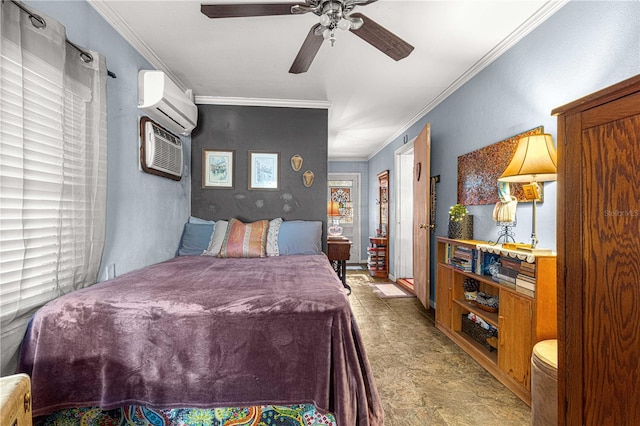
{"type": "Point", "coordinates": [31, 165]}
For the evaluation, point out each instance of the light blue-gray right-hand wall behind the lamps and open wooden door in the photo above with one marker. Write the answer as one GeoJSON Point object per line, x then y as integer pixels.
{"type": "Point", "coordinates": [584, 47]}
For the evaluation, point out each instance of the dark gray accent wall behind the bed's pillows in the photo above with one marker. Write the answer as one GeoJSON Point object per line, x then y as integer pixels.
{"type": "Point", "coordinates": [288, 131]}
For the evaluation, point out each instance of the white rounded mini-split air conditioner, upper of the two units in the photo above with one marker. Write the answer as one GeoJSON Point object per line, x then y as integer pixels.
{"type": "Point", "coordinates": [165, 103]}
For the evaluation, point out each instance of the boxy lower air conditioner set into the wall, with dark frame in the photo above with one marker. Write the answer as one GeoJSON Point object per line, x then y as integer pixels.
{"type": "Point", "coordinates": [160, 151]}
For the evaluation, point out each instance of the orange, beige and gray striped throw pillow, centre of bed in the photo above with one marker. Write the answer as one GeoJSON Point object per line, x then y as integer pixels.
{"type": "Point", "coordinates": [245, 239]}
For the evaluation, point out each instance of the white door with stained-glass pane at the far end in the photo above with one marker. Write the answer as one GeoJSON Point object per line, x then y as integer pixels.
{"type": "Point", "coordinates": [345, 189]}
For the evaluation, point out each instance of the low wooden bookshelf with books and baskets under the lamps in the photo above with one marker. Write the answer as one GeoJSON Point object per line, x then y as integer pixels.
{"type": "Point", "coordinates": [525, 286]}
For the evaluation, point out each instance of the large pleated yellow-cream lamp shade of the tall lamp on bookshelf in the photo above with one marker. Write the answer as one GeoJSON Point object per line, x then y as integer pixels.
{"type": "Point", "coordinates": [535, 160]}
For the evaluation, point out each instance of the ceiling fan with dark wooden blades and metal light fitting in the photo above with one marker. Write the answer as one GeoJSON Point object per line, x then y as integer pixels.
{"type": "Point", "coordinates": [334, 14]}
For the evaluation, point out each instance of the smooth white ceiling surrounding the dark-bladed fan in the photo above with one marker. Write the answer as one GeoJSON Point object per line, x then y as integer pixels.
{"type": "Point", "coordinates": [371, 99]}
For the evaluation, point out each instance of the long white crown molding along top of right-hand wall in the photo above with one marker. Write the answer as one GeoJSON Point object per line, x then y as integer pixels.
{"type": "Point", "coordinates": [541, 15]}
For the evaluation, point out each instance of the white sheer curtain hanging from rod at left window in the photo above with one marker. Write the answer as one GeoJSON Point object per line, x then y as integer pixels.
{"type": "Point", "coordinates": [52, 170]}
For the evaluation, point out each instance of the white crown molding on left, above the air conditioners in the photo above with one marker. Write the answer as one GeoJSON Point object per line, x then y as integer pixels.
{"type": "Point", "coordinates": [113, 19]}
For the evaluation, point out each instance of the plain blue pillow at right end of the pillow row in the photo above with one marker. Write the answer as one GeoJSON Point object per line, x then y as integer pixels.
{"type": "Point", "coordinates": [300, 237]}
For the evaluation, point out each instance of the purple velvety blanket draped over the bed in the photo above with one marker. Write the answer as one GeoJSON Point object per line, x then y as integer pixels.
{"type": "Point", "coordinates": [199, 331]}
